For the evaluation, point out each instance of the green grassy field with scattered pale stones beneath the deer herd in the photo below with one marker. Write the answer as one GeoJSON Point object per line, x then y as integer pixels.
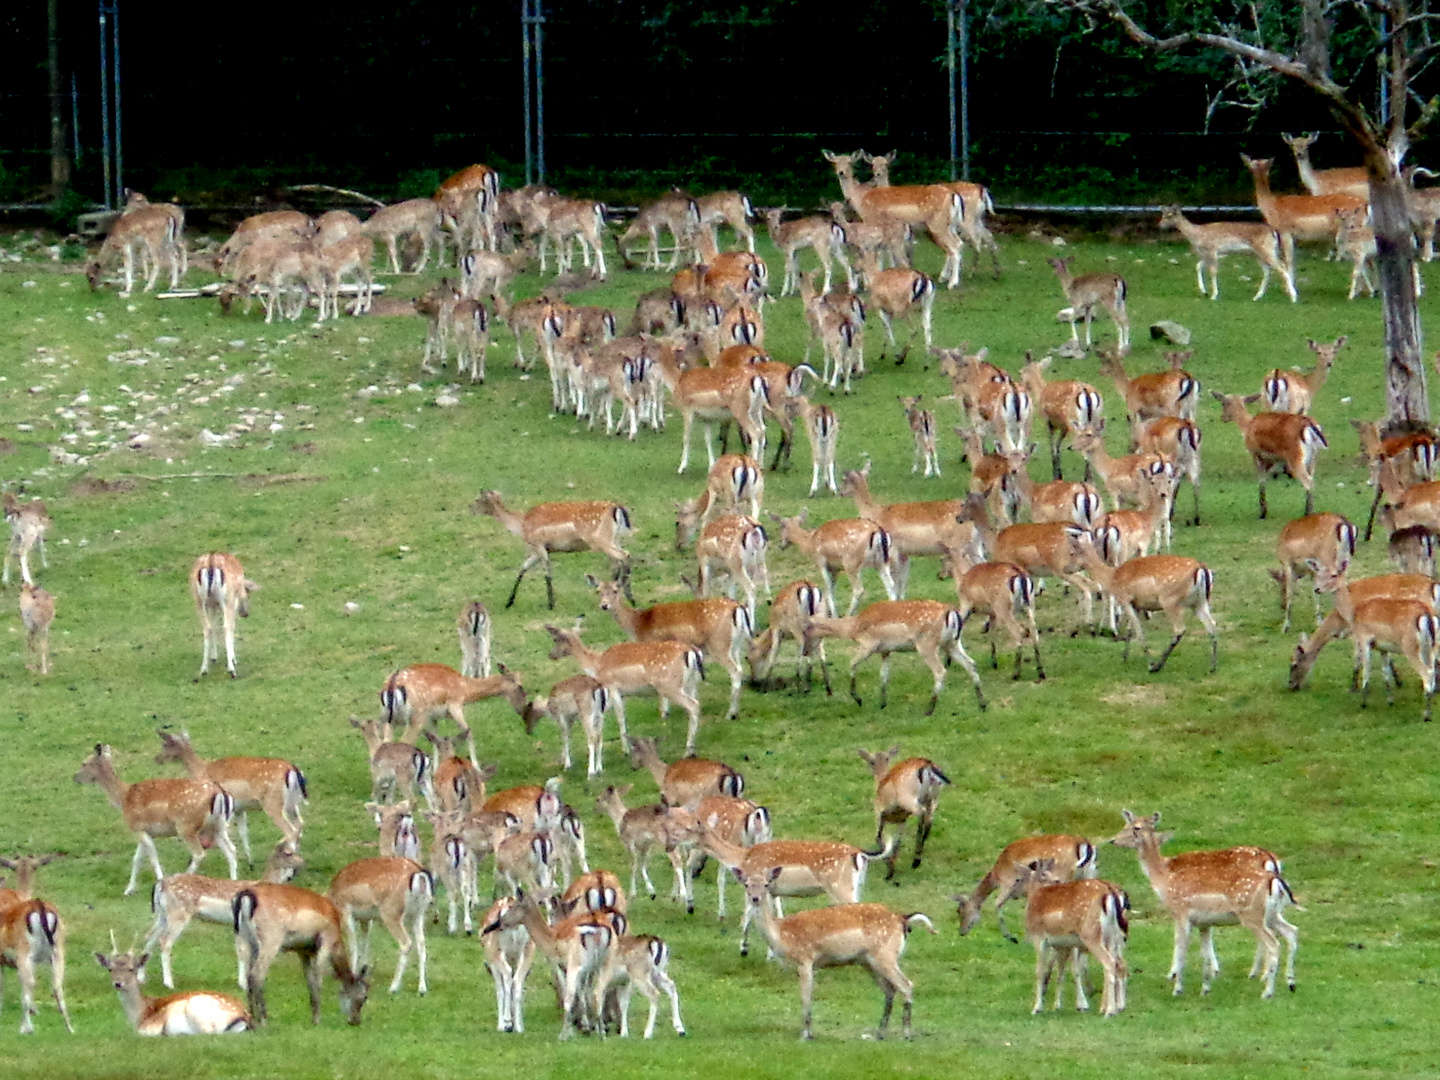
{"type": "Point", "coordinates": [354, 487]}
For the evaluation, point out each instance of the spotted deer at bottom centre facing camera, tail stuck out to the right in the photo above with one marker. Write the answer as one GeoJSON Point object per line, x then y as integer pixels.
{"type": "Point", "coordinates": [869, 935]}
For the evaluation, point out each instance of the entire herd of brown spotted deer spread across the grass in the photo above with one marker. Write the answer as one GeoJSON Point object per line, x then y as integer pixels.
{"type": "Point", "coordinates": [702, 342]}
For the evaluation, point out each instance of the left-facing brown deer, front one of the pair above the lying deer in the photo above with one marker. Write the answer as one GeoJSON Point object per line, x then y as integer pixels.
{"type": "Point", "coordinates": [197, 811]}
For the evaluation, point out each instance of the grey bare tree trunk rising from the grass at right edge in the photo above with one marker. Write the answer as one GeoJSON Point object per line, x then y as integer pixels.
{"type": "Point", "coordinates": [1408, 404]}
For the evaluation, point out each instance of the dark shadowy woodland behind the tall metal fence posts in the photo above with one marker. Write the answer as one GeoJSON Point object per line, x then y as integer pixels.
{"type": "Point", "coordinates": [224, 103]}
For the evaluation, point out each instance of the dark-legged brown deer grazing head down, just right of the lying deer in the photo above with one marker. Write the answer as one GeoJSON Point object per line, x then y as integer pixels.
{"type": "Point", "coordinates": [282, 918]}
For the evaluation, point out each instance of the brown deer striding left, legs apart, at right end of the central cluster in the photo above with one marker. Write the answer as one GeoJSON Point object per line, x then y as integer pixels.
{"type": "Point", "coordinates": [1169, 584]}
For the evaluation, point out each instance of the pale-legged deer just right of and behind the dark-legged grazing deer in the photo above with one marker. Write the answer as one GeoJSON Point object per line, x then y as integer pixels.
{"type": "Point", "coordinates": [394, 891]}
